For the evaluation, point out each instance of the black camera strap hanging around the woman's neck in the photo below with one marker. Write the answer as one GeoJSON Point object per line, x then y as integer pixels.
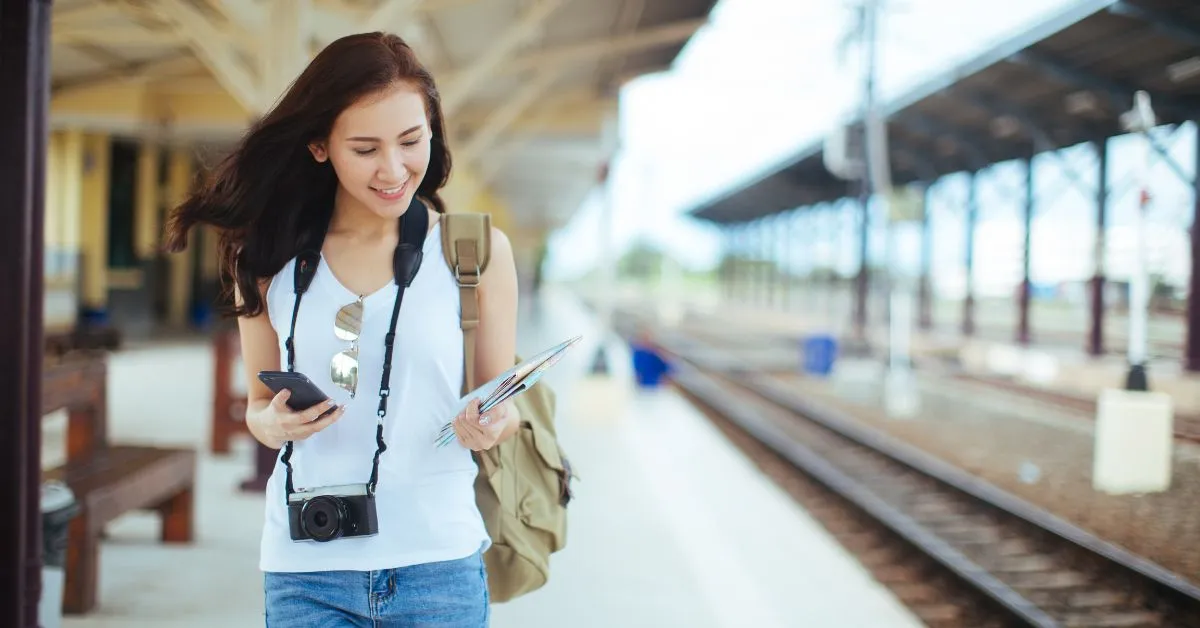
{"type": "Point", "coordinates": [415, 225]}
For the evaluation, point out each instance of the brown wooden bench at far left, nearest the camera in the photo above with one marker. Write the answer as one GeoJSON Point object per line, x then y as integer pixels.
{"type": "Point", "coordinates": [107, 480]}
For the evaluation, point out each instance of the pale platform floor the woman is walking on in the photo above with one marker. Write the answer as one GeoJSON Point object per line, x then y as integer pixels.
{"type": "Point", "coordinates": [671, 525]}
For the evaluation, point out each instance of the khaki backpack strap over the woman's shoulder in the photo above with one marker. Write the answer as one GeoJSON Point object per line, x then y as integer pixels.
{"type": "Point", "coordinates": [467, 247]}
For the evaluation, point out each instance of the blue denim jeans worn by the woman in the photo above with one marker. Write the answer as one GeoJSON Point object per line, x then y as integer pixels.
{"type": "Point", "coordinates": [446, 595]}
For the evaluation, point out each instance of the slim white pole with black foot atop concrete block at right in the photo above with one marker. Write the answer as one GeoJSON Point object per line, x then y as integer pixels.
{"type": "Point", "coordinates": [1141, 121]}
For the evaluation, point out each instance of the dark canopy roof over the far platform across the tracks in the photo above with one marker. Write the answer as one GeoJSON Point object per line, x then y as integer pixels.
{"type": "Point", "coordinates": [1065, 82]}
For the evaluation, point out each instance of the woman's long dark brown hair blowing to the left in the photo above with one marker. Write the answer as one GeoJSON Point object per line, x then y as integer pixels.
{"type": "Point", "coordinates": [269, 195]}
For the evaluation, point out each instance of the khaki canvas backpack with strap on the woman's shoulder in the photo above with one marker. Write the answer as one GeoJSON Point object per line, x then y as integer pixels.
{"type": "Point", "coordinates": [524, 485]}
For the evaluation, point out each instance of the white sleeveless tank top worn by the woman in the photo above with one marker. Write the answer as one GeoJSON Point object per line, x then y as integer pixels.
{"type": "Point", "coordinates": [425, 495]}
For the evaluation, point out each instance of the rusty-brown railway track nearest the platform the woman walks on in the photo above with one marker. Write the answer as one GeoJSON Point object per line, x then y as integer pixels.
{"type": "Point", "coordinates": [919, 521]}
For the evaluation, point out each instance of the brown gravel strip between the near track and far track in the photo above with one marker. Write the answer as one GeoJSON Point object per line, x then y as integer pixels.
{"type": "Point", "coordinates": [1035, 448]}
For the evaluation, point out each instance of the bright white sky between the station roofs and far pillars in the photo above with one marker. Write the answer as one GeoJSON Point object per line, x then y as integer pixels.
{"type": "Point", "coordinates": [765, 79]}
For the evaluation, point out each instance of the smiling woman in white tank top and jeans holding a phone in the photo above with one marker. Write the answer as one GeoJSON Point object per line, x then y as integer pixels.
{"type": "Point", "coordinates": [357, 139]}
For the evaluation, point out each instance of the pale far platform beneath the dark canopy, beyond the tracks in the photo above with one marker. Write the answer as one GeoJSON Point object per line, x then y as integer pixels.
{"type": "Point", "coordinates": [1054, 362]}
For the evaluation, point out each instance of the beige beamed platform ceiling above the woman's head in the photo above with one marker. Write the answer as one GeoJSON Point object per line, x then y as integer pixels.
{"type": "Point", "coordinates": [527, 85]}
